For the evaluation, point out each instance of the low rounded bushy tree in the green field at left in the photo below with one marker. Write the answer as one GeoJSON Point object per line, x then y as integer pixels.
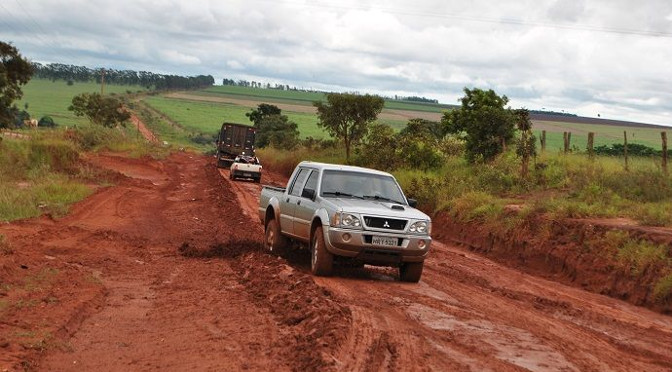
{"type": "Point", "coordinates": [106, 111]}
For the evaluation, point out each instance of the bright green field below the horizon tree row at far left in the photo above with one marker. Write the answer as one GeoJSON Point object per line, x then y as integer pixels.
{"type": "Point", "coordinates": [52, 98]}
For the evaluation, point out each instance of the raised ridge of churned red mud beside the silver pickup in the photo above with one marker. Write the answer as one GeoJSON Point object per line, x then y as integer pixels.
{"type": "Point", "coordinates": [318, 322]}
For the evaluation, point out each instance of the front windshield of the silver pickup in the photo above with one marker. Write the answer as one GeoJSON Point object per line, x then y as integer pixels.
{"type": "Point", "coordinates": [336, 183]}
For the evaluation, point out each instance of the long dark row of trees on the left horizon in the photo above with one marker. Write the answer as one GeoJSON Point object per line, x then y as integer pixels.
{"type": "Point", "coordinates": [149, 80]}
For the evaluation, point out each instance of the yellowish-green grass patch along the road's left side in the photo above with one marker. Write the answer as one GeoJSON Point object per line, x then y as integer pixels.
{"type": "Point", "coordinates": [44, 174]}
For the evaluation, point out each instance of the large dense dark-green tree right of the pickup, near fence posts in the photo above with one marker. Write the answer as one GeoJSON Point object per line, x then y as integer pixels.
{"type": "Point", "coordinates": [484, 121]}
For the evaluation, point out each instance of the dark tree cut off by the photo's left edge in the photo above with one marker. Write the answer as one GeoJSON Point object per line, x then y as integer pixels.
{"type": "Point", "coordinates": [14, 72]}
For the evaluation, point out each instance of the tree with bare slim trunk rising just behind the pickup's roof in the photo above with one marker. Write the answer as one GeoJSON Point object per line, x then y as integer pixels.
{"type": "Point", "coordinates": [346, 116]}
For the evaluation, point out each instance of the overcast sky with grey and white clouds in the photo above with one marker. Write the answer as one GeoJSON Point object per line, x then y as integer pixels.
{"type": "Point", "coordinates": [608, 57]}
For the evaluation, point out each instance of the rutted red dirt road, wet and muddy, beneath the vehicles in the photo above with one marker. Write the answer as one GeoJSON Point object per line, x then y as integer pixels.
{"type": "Point", "coordinates": [165, 270]}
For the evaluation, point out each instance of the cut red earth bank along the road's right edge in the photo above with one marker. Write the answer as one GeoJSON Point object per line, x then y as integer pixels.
{"type": "Point", "coordinates": [563, 254]}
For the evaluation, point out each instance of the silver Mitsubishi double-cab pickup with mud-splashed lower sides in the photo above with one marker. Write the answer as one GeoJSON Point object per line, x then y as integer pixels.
{"type": "Point", "coordinates": [345, 212]}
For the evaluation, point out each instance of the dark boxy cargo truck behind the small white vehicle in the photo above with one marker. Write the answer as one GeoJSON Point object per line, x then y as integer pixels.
{"type": "Point", "coordinates": [233, 140]}
